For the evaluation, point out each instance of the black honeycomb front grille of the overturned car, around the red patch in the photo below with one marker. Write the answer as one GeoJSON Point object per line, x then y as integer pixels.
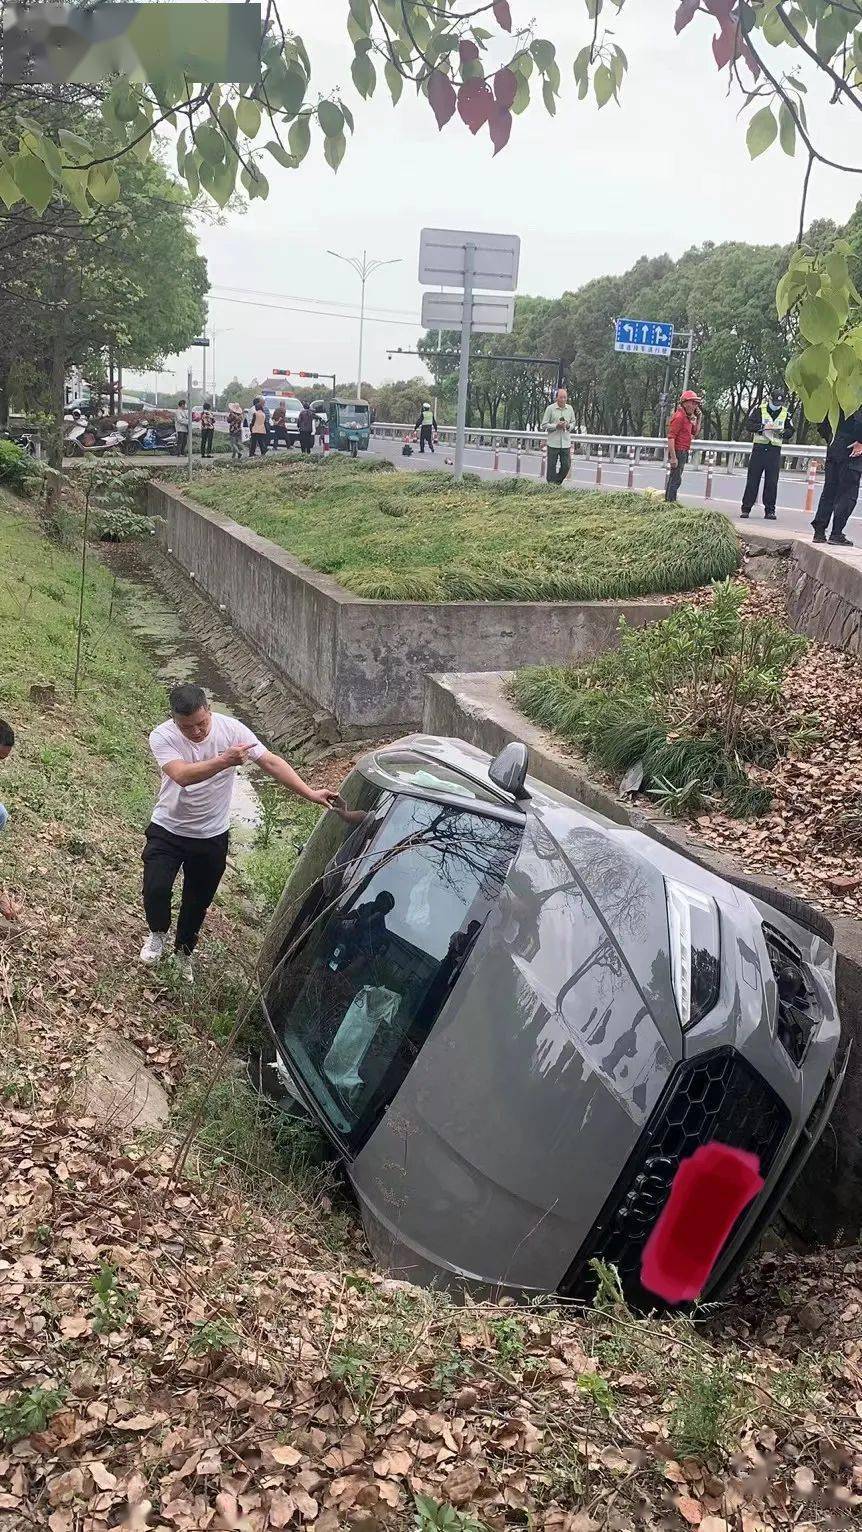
{"type": "Point", "coordinates": [717, 1098]}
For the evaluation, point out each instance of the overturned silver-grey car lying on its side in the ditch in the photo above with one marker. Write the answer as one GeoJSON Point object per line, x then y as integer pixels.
{"type": "Point", "coordinates": [515, 1018]}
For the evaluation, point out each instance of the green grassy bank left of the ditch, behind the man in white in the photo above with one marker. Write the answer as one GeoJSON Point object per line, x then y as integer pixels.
{"type": "Point", "coordinates": [119, 699]}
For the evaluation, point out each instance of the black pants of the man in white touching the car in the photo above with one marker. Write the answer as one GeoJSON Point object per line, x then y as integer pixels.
{"type": "Point", "coordinates": [203, 863]}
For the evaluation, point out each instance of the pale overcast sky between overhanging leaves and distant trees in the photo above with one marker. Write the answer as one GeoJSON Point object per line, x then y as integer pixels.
{"type": "Point", "coordinates": [589, 192]}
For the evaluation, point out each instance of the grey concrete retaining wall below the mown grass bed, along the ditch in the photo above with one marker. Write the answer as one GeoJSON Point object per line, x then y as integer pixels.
{"type": "Point", "coordinates": [364, 663]}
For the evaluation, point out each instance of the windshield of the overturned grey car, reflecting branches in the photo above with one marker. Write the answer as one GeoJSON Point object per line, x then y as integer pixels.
{"type": "Point", "coordinates": [394, 895]}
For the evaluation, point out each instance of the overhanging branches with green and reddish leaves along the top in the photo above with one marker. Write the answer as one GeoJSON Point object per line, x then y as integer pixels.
{"type": "Point", "coordinates": [478, 65]}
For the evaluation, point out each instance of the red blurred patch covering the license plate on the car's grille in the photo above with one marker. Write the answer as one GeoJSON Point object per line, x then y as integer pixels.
{"type": "Point", "coordinates": [710, 1193]}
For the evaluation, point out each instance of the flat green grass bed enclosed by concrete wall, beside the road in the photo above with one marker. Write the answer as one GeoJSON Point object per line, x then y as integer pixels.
{"type": "Point", "coordinates": [419, 537]}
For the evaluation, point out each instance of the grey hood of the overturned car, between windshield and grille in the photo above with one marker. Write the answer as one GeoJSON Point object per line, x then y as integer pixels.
{"type": "Point", "coordinates": [534, 1088]}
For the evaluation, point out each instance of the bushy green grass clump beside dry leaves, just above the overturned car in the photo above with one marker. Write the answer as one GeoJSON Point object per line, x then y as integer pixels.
{"type": "Point", "coordinates": [694, 701]}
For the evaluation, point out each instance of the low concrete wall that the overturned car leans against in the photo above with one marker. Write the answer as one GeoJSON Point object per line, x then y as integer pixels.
{"type": "Point", "coordinates": [826, 1203]}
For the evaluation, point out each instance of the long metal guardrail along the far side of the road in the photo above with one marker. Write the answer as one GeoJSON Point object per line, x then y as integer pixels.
{"type": "Point", "coordinates": [629, 450]}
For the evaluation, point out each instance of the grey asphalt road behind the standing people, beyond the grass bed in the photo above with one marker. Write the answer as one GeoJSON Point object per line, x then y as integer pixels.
{"type": "Point", "coordinates": [726, 488]}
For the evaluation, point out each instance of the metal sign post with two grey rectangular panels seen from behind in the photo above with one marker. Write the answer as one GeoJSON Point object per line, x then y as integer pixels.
{"type": "Point", "coordinates": [466, 261]}
